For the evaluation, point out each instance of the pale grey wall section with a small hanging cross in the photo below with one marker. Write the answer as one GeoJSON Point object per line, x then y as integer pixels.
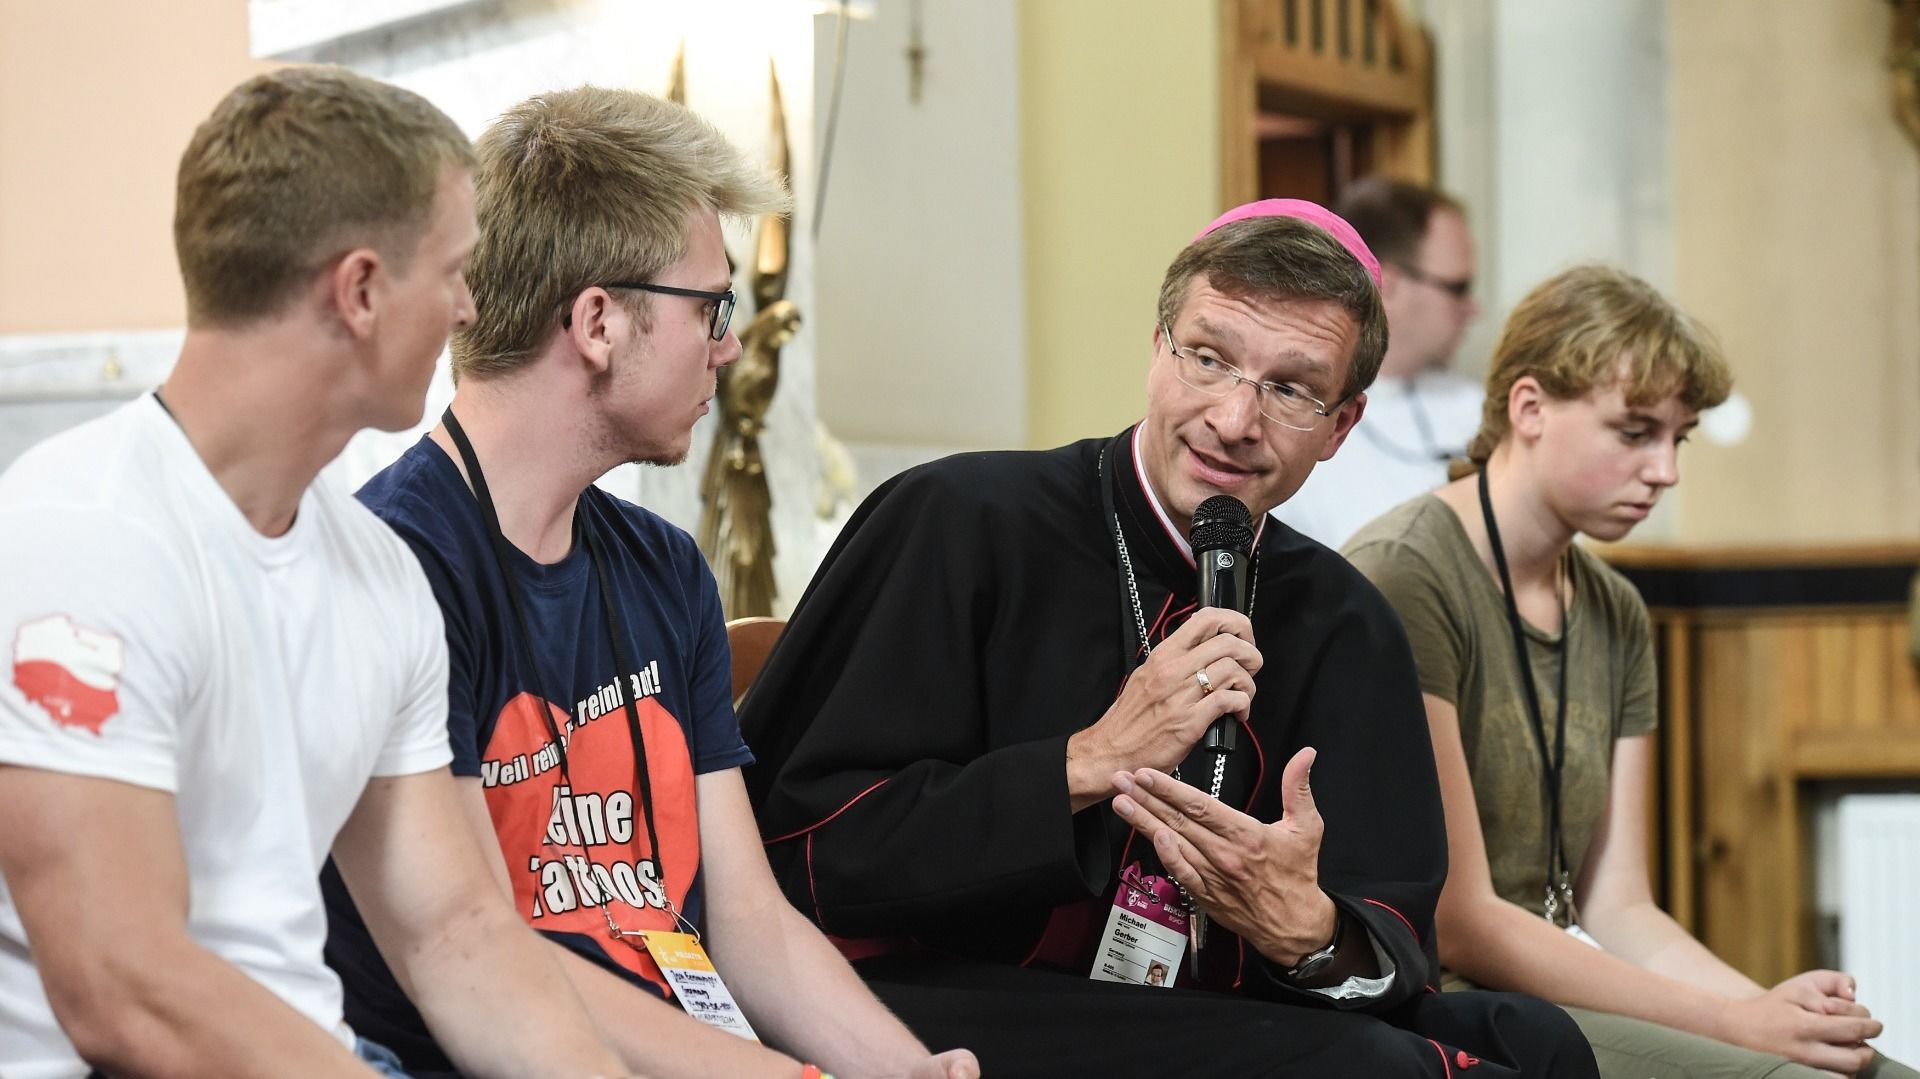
{"type": "Point", "coordinates": [921, 270]}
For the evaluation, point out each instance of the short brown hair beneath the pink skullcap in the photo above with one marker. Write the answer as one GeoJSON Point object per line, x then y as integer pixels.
{"type": "Point", "coordinates": [1285, 258]}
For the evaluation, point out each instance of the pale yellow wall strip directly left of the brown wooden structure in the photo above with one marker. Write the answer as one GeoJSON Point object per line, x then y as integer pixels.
{"type": "Point", "coordinates": [1120, 141]}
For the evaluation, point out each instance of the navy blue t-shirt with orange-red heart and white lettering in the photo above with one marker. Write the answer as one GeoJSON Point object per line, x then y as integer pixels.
{"type": "Point", "coordinates": [575, 848]}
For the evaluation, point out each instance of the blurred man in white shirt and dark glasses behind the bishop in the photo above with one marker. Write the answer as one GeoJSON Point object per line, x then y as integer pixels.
{"type": "Point", "coordinates": [1420, 416]}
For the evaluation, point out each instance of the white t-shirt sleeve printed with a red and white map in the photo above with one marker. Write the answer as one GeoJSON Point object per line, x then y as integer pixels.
{"type": "Point", "coordinates": [105, 640]}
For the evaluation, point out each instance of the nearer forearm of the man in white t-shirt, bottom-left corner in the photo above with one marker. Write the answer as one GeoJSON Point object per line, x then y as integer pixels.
{"type": "Point", "coordinates": [187, 1013]}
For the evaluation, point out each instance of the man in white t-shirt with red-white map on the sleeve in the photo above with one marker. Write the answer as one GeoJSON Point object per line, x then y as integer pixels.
{"type": "Point", "coordinates": [222, 671]}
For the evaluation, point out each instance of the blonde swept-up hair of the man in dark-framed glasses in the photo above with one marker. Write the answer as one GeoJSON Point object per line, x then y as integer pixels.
{"type": "Point", "coordinates": [588, 187]}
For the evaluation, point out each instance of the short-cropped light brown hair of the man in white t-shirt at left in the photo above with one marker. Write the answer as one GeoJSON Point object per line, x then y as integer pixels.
{"type": "Point", "coordinates": [295, 170]}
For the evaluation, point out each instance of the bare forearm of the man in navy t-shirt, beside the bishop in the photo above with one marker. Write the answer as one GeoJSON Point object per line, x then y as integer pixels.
{"type": "Point", "coordinates": [802, 995]}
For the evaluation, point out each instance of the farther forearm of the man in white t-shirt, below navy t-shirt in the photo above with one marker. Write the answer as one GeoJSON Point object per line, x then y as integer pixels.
{"type": "Point", "coordinates": [483, 982]}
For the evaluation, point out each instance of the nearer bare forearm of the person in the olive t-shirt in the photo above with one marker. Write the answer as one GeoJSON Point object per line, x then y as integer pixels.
{"type": "Point", "coordinates": [1506, 947]}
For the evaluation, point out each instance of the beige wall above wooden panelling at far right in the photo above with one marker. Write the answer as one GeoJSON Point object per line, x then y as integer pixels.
{"type": "Point", "coordinates": [1798, 241]}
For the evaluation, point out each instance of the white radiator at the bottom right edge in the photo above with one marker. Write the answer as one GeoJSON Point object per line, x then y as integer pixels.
{"type": "Point", "coordinates": [1879, 901]}
